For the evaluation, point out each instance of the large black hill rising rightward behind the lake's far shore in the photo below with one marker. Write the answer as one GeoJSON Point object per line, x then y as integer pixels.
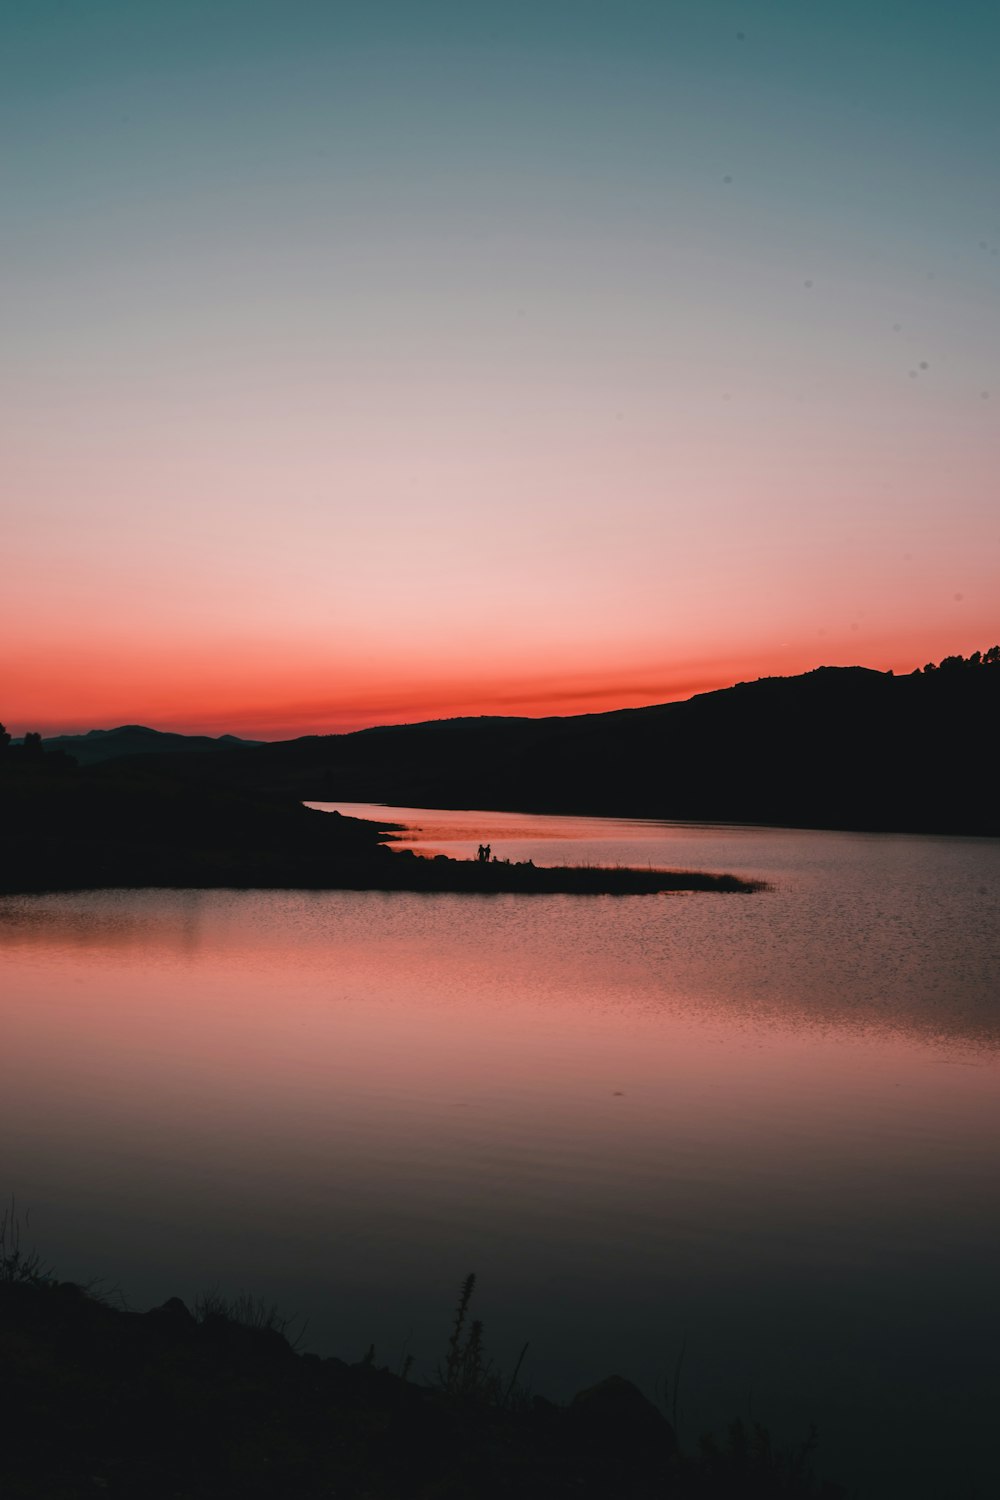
{"type": "Point", "coordinates": [840, 748]}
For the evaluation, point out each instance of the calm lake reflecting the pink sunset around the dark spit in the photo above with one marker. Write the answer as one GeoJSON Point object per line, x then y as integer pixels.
{"type": "Point", "coordinates": [755, 1139]}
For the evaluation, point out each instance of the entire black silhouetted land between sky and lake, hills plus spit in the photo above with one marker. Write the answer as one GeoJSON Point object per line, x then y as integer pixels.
{"type": "Point", "coordinates": [839, 748]}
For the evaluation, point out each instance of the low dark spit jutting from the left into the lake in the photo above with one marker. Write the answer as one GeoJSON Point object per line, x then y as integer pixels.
{"type": "Point", "coordinates": [130, 824]}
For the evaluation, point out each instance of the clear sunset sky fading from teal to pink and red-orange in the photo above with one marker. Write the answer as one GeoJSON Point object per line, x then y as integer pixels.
{"type": "Point", "coordinates": [391, 361]}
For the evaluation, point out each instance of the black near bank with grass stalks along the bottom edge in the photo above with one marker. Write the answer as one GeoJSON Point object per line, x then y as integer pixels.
{"type": "Point", "coordinates": [164, 1406]}
